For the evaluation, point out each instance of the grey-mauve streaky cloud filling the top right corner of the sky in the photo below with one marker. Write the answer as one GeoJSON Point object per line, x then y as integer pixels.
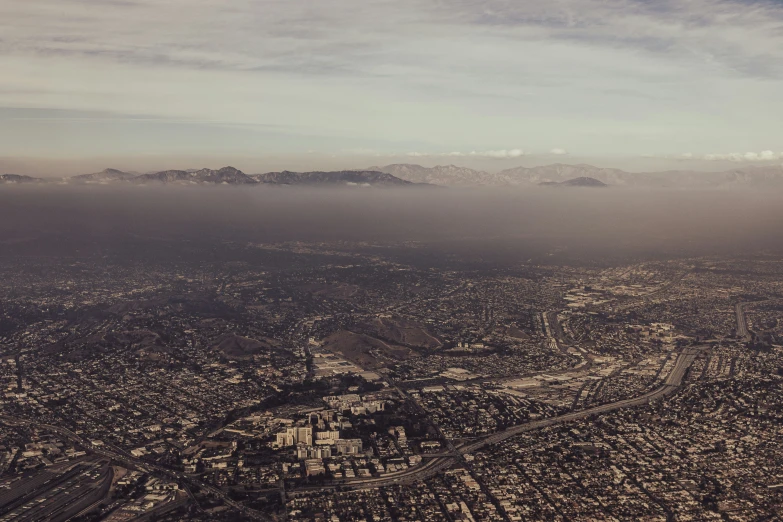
{"type": "Point", "coordinates": [738, 35]}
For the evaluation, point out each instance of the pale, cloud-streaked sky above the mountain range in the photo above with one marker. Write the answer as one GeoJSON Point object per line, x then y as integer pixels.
{"type": "Point", "coordinates": [270, 84]}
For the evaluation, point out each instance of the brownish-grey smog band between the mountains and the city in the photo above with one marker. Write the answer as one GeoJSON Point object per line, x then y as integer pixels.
{"type": "Point", "coordinates": [605, 222]}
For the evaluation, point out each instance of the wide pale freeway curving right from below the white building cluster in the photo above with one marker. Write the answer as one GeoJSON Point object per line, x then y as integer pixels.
{"type": "Point", "coordinates": [437, 464]}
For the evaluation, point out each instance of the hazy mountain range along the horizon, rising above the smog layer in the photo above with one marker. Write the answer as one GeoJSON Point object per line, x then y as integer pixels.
{"type": "Point", "coordinates": [403, 175]}
